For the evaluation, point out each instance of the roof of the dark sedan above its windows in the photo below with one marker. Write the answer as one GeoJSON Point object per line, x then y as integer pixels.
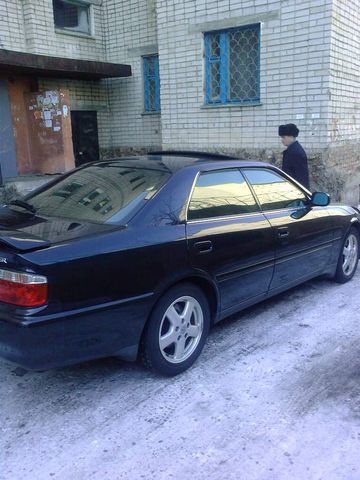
{"type": "Point", "coordinates": [172, 163]}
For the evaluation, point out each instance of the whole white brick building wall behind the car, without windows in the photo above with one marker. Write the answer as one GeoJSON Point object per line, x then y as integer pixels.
{"type": "Point", "coordinates": [309, 75]}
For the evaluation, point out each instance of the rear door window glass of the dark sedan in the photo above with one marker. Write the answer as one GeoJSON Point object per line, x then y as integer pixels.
{"type": "Point", "coordinates": [221, 193]}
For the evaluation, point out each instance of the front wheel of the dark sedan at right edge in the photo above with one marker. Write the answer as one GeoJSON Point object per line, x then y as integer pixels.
{"type": "Point", "coordinates": [348, 258]}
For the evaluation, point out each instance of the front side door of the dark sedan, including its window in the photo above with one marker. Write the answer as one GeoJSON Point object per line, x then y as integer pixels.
{"type": "Point", "coordinates": [304, 234]}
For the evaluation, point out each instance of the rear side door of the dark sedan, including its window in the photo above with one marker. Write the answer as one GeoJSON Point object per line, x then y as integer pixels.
{"type": "Point", "coordinates": [229, 237]}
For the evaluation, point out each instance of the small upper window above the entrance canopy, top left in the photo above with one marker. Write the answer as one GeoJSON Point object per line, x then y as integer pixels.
{"type": "Point", "coordinates": [71, 15]}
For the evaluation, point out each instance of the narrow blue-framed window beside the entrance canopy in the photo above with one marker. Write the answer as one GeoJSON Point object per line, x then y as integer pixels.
{"type": "Point", "coordinates": [151, 83]}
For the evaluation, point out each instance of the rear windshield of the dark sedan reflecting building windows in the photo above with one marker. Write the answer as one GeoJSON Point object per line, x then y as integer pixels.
{"type": "Point", "coordinates": [109, 193]}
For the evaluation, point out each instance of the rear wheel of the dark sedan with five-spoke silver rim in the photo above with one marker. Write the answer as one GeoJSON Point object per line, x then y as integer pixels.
{"type": "Point", "coordinates": [176, 331]}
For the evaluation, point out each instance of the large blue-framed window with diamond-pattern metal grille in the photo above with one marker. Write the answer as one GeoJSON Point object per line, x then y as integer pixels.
{"type": "Point", "coordinates": [232, 65]}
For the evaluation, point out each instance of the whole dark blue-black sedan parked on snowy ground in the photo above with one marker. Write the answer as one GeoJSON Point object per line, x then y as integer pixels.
{"type": "Point", "coordinates": [138, 257]}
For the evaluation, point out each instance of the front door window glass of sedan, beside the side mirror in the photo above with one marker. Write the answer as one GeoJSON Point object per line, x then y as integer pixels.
{"type": "Point", "coordinates": [273, 191]}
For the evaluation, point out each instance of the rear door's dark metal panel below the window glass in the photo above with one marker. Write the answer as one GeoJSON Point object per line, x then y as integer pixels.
{"type": "Point", "coordinates": [241, 260]}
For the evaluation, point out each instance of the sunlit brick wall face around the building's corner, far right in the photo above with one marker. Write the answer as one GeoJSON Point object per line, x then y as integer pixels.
{"type": "Point", "coordinates": [344, 99]}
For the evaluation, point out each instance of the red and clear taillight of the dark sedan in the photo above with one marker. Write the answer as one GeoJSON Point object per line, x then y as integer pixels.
{"type": "Point", "coordinates": [23, 289]}
